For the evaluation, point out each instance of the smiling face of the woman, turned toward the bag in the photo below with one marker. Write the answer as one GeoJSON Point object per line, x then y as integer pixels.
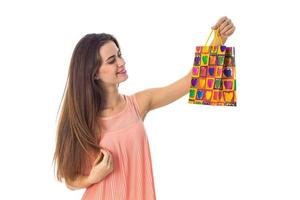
{"type": "Point", "coordinates": [112, 71]}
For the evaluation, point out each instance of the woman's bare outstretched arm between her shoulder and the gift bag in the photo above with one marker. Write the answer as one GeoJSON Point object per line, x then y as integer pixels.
{"type": "Point", "coordinates": [157, 97]}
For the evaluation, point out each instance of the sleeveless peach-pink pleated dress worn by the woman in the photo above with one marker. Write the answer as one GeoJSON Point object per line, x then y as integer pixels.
{"type": "Point", "coordinates": [125, 137]}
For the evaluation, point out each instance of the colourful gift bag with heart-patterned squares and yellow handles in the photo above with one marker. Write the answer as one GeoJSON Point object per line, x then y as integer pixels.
{"type": "Point", "coordinates": [213, 79]}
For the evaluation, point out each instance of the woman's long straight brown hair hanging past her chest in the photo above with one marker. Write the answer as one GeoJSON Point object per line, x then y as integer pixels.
{"type": "Point", "coordinates": [83, 99]}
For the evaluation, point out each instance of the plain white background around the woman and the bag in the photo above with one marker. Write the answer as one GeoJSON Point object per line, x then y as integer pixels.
{"type": "Point", "coordinates": [198, 152]}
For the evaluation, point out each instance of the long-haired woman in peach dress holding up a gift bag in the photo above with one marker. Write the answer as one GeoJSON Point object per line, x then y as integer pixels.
{"type": "Point", "coordinates": [101, 141]}
